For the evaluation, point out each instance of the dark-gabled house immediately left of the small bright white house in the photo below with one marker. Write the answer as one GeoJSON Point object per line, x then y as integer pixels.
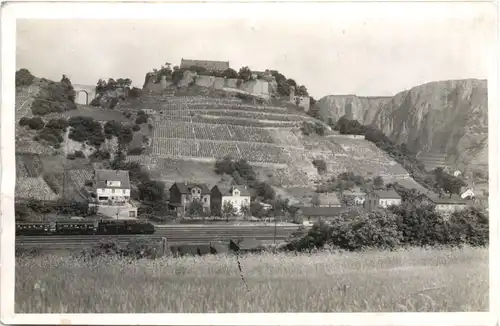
{"type": "Point", "coordinates": [182, 194]}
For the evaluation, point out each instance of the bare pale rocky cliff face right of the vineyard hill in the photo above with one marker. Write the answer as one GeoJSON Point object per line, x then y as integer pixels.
{"type": "Point", "coordinates": [449, 117]}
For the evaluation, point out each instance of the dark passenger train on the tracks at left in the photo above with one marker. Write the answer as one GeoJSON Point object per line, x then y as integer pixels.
{"type": "Point", "coordinates": [98, 227]}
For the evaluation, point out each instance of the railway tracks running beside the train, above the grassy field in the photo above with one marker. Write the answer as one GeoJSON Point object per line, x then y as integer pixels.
{"type": "Point", "coordinates": [174, 235]}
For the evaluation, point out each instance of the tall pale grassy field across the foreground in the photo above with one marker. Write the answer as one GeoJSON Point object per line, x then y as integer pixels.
{"type": "Point", "coordinates": [413, 280]}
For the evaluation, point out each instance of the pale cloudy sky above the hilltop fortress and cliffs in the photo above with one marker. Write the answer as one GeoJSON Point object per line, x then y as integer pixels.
{"type": "Point", "coordinates": [347, 51]}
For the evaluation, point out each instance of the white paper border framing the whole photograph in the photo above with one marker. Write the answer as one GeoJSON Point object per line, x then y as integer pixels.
{"type": "Point", "coordinates": [11, 11]}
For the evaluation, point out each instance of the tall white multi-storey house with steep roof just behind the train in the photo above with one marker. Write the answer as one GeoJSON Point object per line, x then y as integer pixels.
{"type": "Point", "coordinates": [112, 193]}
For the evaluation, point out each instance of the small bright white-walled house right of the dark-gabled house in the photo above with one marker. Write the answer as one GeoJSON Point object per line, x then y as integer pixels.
{"type": "Point", "coordinates": [238, 196]}
